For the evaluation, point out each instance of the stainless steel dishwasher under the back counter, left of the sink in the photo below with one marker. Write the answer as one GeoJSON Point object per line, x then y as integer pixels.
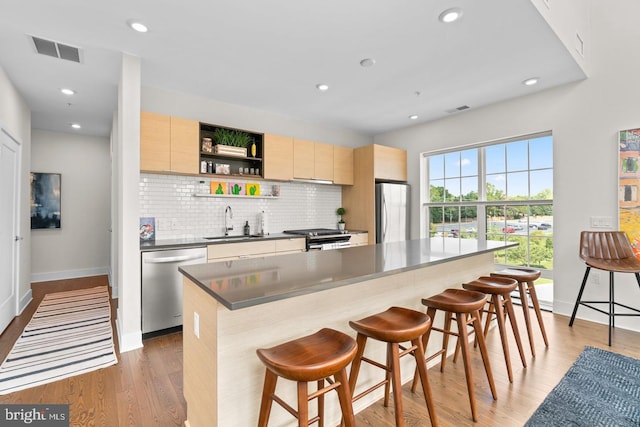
{"type": "Point", "coordinates": [162, 287]}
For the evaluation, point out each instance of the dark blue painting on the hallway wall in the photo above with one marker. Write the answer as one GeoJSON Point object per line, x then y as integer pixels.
{"type": "Point", "coordinates": [45, 200]}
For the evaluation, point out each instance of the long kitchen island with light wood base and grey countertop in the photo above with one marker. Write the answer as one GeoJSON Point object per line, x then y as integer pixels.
{"type": "Point", "coordinates": [232, 308]}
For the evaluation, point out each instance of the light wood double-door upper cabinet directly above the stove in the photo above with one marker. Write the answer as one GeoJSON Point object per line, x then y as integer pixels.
{"type": "Point", "coordinates": [312, 160]}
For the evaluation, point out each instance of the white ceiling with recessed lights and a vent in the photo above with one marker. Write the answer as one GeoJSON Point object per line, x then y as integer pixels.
{"type": "Point", "coordinates": [269, 55]}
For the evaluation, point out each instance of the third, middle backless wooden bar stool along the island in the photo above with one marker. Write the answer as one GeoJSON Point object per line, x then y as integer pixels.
{"type": "Point", "coordinates": [460, 302]}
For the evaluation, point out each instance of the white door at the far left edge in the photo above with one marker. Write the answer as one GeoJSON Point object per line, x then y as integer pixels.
{"type": "Point", "coordinates": [8, 229]}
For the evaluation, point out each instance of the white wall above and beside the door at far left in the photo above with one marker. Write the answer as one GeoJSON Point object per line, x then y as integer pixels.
{"type": "Point", "coordinates": [15, 118]}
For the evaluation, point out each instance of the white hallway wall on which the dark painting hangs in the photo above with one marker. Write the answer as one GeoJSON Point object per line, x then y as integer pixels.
{"type": "Point", "coordinates": [81, 246]}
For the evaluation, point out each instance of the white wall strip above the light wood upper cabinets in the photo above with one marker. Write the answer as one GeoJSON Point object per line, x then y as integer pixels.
{"type": "Point", "coordinates": [219, 113]}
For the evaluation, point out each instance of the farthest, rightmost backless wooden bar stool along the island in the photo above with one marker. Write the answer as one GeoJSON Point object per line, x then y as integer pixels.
{"type": "Point", "coordinates": [525, 278]}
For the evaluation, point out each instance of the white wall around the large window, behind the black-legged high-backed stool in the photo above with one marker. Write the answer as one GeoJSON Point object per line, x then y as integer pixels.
{"type": "Point", "coordinates": [585, 118]}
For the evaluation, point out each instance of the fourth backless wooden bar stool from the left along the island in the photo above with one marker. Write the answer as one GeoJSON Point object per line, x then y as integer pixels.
{"type": "Point", "coordinates": [499, 289]}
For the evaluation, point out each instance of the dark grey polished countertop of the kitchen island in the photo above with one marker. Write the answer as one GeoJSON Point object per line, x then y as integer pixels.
{"type": "Point", "coordinates": [248, 282]}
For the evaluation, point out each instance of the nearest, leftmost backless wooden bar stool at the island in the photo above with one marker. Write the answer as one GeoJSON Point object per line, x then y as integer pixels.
{"type": "Point", "coordinates": [315, 357]}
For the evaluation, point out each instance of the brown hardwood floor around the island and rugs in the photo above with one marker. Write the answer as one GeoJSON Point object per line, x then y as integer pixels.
{"type": "Point", "coordinates": [145, 387]}
